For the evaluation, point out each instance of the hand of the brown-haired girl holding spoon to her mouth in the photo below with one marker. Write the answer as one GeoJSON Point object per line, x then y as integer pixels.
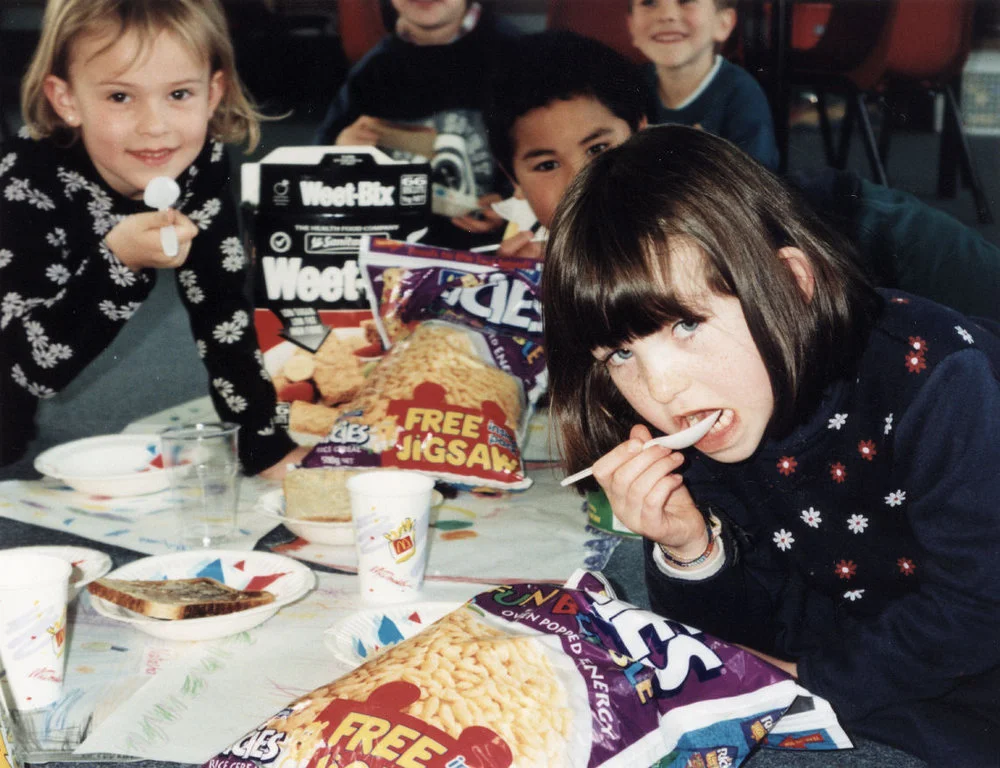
{"type": "Point", "coordinates": [649, 498]}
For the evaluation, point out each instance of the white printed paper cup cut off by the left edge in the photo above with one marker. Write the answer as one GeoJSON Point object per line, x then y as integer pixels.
{"type": "Point", "coordinates": [33, 595]}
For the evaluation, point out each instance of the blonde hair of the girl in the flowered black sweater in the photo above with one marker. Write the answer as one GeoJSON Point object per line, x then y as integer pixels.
{"type": "Point", "coordinates": [198, 24]}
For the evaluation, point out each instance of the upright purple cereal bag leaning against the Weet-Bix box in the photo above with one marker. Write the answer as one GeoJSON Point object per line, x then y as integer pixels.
{"type": "Point", "coordinates": [465, 367]}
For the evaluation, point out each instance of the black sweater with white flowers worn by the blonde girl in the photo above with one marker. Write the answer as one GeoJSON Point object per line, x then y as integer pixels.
{"type": "Point", "coordinates": [64, 295]}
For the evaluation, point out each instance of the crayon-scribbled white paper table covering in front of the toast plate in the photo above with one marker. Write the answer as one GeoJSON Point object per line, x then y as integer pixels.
{"type": "Point", "coordinates": [127, 693]}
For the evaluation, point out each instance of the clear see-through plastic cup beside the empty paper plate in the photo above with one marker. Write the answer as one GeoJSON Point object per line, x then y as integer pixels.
{"type": "Point", "coordinates": [203, 468]}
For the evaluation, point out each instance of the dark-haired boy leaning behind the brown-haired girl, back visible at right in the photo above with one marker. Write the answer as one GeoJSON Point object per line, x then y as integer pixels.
{"type": "Point", "coordinates": [564, 99]}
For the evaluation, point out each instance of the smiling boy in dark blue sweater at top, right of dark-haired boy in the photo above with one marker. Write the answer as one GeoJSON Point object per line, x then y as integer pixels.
{"type": "Point", "coordinates": [690, 83]}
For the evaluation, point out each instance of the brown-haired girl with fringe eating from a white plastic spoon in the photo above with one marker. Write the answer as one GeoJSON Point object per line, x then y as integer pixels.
{"type": "Point", "coordinates": [840, 517]}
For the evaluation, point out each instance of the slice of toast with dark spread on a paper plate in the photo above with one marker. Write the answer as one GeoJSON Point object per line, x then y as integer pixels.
{"type": "Point", "coordinates": [177, 598]}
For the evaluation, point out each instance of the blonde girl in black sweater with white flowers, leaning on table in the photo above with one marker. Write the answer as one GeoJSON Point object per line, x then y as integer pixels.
{"type": "Point", "coordinates": [120, 92]}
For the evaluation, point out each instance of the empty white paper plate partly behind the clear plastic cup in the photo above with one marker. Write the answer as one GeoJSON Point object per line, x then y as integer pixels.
{"type": "Point", "coordinates": [109, 465]}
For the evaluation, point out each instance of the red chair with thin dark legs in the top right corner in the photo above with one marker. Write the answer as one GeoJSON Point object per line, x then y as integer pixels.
{"type": "Point", "coordinates": [918, 45]}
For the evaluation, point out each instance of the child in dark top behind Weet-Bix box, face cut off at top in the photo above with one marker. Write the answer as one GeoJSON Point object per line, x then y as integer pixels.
{"type": "Point", "coordinates": [430, 71]}
